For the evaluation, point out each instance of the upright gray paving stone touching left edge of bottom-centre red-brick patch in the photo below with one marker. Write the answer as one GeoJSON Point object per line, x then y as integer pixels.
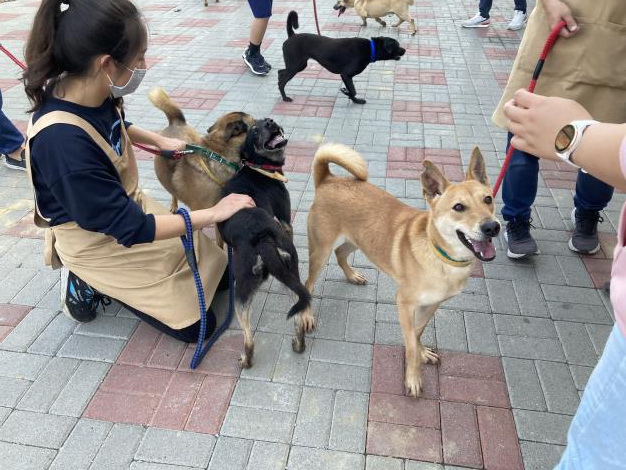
{"type": "Point", "coordinates": [349, 424]}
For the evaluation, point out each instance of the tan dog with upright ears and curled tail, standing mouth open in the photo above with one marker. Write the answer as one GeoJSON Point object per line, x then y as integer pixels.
{"type": "Point", "coordinates": [429, 254]}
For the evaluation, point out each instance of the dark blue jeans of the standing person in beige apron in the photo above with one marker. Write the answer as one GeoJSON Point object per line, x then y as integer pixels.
{"type": "Point", "coordinates": [519, 188]}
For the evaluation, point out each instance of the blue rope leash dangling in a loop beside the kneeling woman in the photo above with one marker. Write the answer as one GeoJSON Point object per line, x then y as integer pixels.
{"type": "Point", "coordinates": [190, 254]}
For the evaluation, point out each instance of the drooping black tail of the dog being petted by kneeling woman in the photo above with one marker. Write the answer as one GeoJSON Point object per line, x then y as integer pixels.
{"type": "Point", "coordinates": [282, 263]}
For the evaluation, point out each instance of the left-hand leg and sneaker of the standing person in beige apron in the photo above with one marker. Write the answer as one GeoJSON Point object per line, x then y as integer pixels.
{"type": "Point", "coordinates": [519, 189]}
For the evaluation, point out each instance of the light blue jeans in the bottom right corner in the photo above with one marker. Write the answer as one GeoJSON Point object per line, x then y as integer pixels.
{"type": "Point", "coordinates": [597, 436]}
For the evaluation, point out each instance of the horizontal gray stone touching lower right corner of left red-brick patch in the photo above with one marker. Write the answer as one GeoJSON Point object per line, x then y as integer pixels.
{"type": "Point", "coordinates": [252, 423]}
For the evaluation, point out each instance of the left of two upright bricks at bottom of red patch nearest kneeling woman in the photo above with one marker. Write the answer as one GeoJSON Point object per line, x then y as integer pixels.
{"type": "Point", "coordinates": [176, 405]}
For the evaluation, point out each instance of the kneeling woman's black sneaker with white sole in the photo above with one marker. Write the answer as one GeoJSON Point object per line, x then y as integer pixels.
{"type": "Point", "coordinates": [80, 301]}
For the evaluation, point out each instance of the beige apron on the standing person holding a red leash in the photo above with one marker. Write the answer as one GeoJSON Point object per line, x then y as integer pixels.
{"type": "Point", "coordinates": [589, 67]}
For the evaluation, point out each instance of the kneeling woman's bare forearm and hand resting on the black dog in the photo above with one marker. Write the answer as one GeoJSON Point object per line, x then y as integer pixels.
{"type": "Point", "coordinates": [173, 225]}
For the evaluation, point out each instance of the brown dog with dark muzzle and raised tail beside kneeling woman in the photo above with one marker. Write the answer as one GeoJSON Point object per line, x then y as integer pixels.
{"type": "Point", "coordinates": [186, 179]}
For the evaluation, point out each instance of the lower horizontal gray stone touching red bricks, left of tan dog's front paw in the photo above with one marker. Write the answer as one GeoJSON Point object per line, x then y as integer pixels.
{"type": "Point", "coordinates": [338, 376]}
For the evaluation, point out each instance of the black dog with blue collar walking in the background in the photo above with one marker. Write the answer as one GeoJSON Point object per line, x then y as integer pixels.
{"type": "Point", "coordinates": [347, 56]}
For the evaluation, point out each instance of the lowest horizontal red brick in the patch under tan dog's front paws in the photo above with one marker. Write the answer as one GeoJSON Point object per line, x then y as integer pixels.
{"type": "Point", "coordinates": [407, 442]}
